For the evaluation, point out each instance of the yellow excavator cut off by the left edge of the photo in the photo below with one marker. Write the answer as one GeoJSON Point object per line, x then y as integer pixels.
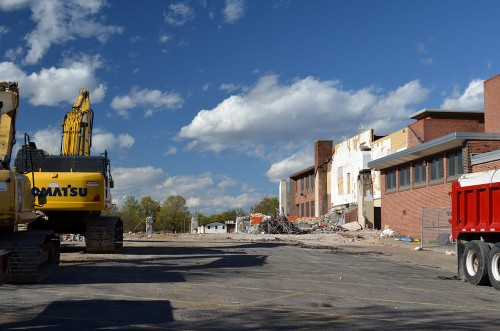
{"type": "Point", "coordinates": [25, 256]}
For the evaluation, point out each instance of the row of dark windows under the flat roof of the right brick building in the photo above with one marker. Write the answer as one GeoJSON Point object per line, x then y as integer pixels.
{"type": "Point", "coordinates": [433, 166]}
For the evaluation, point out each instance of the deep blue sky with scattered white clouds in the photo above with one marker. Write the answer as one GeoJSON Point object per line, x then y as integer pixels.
{"type": "Point", "coordinates": [216, 100]}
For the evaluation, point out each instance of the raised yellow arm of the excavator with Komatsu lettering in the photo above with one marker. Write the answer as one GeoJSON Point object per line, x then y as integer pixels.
{"type": "Point", "coordinates": [77, 127]}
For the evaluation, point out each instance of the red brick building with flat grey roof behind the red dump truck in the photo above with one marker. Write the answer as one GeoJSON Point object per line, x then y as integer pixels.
{"type": "Point", "coordinates": [443, 144]}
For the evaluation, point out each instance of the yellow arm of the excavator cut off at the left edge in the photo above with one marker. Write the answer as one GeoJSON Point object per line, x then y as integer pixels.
{"type": "Point", "coordinates": [9, 102]}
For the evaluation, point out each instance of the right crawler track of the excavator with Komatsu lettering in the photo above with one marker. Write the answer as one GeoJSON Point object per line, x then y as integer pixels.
{"type": "Point", "coordinates": [104, 235]}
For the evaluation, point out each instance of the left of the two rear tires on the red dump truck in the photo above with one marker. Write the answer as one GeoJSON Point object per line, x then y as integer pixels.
{"type": "Point", "coordinates": [475, 262]}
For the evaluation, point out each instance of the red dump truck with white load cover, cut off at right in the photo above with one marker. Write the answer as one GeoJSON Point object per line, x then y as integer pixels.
{"type": "Point", "coordinates": [476, 227]}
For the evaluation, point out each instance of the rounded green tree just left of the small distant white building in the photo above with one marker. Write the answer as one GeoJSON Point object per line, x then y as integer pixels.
{"type": "Point", "coordinates": [173, 215]}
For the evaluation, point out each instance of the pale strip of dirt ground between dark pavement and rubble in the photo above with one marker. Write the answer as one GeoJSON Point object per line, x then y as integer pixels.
{"type": "Point", "coordinates": [351, 241]}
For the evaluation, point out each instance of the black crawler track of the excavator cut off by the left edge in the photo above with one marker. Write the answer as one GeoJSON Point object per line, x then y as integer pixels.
{"type": "Point", "coordinates": [33, 255]}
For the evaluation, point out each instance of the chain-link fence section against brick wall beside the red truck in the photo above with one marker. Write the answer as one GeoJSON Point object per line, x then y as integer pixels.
{"type": "Point", "coordinates": [436, 228]}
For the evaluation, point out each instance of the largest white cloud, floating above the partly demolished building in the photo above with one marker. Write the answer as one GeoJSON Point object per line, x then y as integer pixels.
{"type": "Point", "coordinates": [271, 114]}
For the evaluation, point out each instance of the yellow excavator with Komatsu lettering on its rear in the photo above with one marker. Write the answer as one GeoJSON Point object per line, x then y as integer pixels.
{"type": "Point", "coordinates": [77, 185]}
